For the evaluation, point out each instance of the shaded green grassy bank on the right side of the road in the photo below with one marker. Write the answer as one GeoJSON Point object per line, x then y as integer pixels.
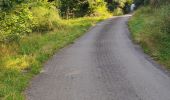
{"type": "Point", "coordinates": [151, 29]}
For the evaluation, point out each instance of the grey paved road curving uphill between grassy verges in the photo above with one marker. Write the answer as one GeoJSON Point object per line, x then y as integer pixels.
{"type": "Point", "coordinates": [104, 64]}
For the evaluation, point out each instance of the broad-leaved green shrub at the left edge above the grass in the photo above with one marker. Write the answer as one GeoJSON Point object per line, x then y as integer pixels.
{"type": "Point", "coordinates": [15, 24]}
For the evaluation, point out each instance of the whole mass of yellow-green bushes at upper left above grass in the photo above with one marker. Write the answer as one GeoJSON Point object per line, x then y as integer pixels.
{"type": "Point", "coordinates": [25, 18]}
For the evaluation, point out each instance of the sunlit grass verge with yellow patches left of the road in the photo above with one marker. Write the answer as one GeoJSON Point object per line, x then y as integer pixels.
{"type": "Point", "coordinates": [19, 62]}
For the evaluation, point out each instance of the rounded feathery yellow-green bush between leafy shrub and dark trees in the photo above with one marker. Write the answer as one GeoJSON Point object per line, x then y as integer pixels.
{"type": "Point", "coordinates": [45, 16]}
